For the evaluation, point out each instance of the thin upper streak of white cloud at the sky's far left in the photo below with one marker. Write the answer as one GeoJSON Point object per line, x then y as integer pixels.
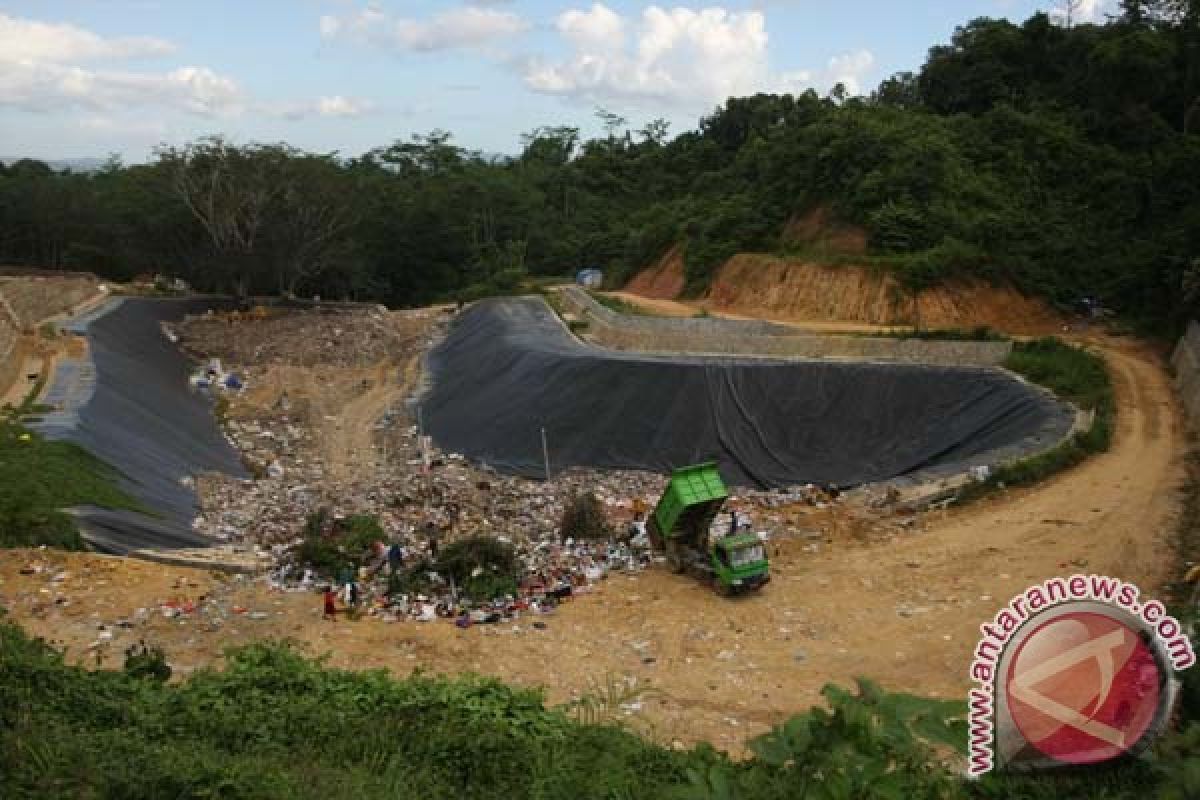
{"type": "Point", "coordinates": [28, 40]}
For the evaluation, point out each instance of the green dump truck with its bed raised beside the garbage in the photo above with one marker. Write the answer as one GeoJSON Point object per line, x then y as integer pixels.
{"type": "Point", "coordinates": [681, 525]}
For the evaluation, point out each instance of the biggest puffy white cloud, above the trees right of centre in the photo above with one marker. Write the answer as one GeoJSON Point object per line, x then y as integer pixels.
{"type": "Point", "coordinates": [680, 57]}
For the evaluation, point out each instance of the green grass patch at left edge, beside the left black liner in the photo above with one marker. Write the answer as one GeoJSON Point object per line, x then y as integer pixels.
{"type": "Point", "coordinates": [40, 478]}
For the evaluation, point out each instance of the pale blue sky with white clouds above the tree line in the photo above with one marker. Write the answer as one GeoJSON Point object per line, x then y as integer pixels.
{"type": "Point", "coordinates": [92, 77]}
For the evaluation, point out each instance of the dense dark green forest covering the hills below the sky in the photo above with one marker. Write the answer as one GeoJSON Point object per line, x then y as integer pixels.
{"type": "Point", "coordinates": [1061, 159]}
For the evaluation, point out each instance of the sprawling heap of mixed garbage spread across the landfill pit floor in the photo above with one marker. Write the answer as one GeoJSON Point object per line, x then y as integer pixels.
{"type": "Point", "coordinates": [422, 497]}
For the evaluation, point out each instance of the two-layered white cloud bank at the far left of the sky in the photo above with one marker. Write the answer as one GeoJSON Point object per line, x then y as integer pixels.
{"type": "Point", "coordinates": [41, 71]}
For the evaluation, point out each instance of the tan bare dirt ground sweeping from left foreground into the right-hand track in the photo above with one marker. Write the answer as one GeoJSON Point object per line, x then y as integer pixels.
{"type": "Point", "coordinates": [903, 607]}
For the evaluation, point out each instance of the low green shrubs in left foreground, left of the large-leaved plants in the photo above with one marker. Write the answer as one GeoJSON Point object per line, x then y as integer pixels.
{"type": "Point", "coordinates": [277, 725]}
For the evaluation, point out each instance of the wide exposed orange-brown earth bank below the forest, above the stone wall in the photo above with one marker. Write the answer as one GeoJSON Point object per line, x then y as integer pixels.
{"type": "Point", "coordinates": [788, 290]}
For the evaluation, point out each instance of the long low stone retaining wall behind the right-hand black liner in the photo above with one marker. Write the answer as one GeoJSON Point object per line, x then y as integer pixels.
{"type": "Point", "coordinates": [745, 338]}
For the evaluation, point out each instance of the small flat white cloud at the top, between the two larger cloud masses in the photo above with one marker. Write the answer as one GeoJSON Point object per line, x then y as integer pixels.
{"type": "Point", "coordinates": [465, 28]}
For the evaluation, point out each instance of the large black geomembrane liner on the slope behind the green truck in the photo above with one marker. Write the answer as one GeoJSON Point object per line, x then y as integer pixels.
{"type": "Point", "coordinates": [508, 369]}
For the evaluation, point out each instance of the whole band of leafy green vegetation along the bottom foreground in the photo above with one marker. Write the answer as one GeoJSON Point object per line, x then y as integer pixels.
{"type": "Point", "coordinates": [277, 725]}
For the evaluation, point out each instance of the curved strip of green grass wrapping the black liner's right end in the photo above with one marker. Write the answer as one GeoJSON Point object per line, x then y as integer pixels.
{"type": "Point", "coordinates": [1075, 375]}
